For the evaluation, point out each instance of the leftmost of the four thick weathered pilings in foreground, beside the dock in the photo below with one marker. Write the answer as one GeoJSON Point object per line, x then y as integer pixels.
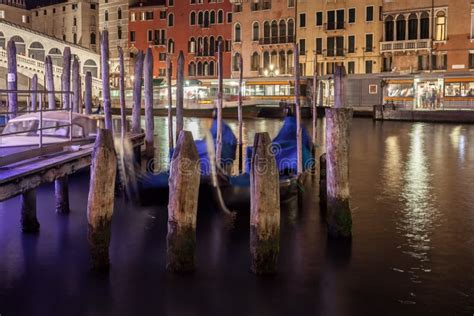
{"type": "Point", "coordinates": [100, 204]}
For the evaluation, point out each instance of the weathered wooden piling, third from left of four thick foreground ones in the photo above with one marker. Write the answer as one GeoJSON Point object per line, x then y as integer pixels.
{"type": "Point", "coordinates": [264, 207]}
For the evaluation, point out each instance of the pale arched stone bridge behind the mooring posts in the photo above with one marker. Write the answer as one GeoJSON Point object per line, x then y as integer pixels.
{"type": "Point", "coordinates": [32, 48]}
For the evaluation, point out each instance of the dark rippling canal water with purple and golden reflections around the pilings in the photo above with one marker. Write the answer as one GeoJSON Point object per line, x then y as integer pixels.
{"type": "Point", "coordinates": [412, 251]}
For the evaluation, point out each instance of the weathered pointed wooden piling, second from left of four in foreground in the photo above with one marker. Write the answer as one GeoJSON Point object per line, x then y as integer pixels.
{"type": "Point", "coordinates": [182, 206]}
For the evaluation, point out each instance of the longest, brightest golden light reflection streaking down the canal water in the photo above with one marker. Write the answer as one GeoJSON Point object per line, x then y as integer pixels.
{"type": "Point", "coordinates": [418, 218]}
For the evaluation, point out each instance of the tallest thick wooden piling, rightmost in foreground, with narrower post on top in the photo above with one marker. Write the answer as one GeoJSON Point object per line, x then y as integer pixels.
{"type": "Point", "coordinates": [338, 121]}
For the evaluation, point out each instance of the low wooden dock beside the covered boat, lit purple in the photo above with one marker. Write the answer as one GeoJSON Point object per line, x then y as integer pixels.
{"type": "Point", "coordinates": [21, 176]}
